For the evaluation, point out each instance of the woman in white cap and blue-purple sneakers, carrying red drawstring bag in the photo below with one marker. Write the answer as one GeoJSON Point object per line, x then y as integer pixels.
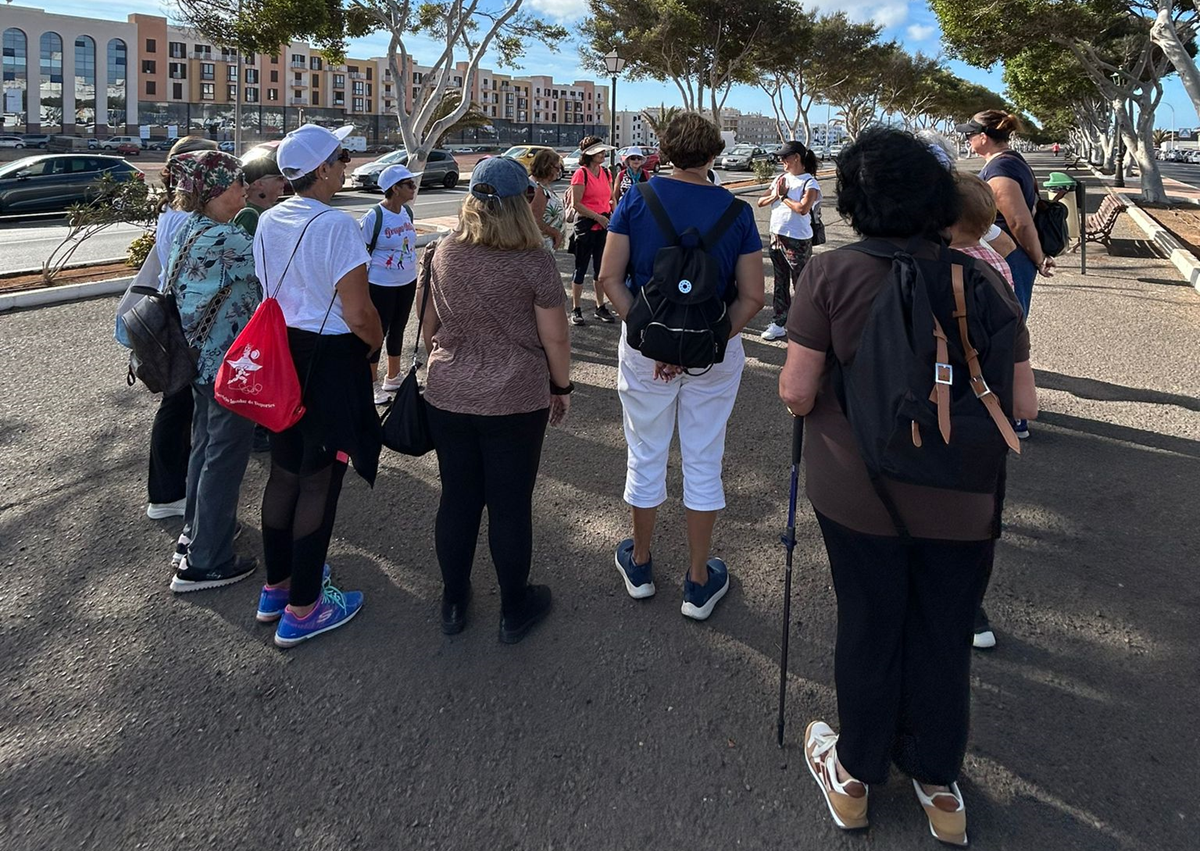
{"type": "Point", "coordinates": [311, 259]}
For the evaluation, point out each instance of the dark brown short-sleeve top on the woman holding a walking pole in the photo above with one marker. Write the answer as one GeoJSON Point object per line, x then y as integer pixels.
{"type": "Point", "coordinates": [833, 299]}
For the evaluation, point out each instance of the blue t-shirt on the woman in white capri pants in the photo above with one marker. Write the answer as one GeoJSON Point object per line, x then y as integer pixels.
{"type": "Point", "coordinates": [689, 206]}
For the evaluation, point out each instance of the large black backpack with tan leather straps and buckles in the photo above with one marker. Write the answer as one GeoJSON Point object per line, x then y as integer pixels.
{"type": "Point", "coordinates": [929, 392]}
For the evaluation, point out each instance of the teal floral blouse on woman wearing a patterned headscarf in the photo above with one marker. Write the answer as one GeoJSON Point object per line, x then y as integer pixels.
{"type": "Point", "coordinates": [218, 274]}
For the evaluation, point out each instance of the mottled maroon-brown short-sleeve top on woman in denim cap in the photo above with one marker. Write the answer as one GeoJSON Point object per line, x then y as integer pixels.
{"type": "Point", "coordinates": [488, 358]}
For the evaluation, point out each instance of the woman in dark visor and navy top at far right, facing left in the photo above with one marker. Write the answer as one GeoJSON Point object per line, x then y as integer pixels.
{"type": "Point", "coordinates": [1016, 189]}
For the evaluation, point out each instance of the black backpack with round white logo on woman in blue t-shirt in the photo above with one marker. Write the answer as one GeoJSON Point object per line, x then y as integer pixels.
{"type": "Point", "coordinates": [679, 316]}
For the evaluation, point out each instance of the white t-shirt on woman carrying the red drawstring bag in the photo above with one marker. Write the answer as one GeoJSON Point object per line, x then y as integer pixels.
{"type": "Point", "coordinates": [332, 248]}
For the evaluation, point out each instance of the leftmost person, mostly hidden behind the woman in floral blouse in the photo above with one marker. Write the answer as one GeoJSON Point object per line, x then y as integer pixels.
{"type": "Point", "coordinates": [171, 436]}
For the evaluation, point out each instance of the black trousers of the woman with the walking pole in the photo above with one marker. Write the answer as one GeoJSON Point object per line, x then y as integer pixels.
{"type": "Point", "coordinates": [903, 662]}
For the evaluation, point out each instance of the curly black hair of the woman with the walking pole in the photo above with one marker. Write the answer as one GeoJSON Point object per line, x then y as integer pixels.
{"type": "Point", "coordinates": [890, 184]}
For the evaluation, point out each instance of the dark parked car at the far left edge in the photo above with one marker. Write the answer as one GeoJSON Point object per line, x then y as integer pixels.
{"type": "Point", "coordinates": [50, 183]}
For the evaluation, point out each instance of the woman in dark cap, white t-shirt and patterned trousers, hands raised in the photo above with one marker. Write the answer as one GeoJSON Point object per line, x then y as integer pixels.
{"type": "Point", "coordinates": [791, 200]}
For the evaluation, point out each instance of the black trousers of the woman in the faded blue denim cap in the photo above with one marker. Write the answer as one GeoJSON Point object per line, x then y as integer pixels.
{"type": "Point", "coordinates": [487, 462]}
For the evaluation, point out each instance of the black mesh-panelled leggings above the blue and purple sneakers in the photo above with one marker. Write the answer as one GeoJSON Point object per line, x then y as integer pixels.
{"type": "Point", "coordinates": [299, 508]}
